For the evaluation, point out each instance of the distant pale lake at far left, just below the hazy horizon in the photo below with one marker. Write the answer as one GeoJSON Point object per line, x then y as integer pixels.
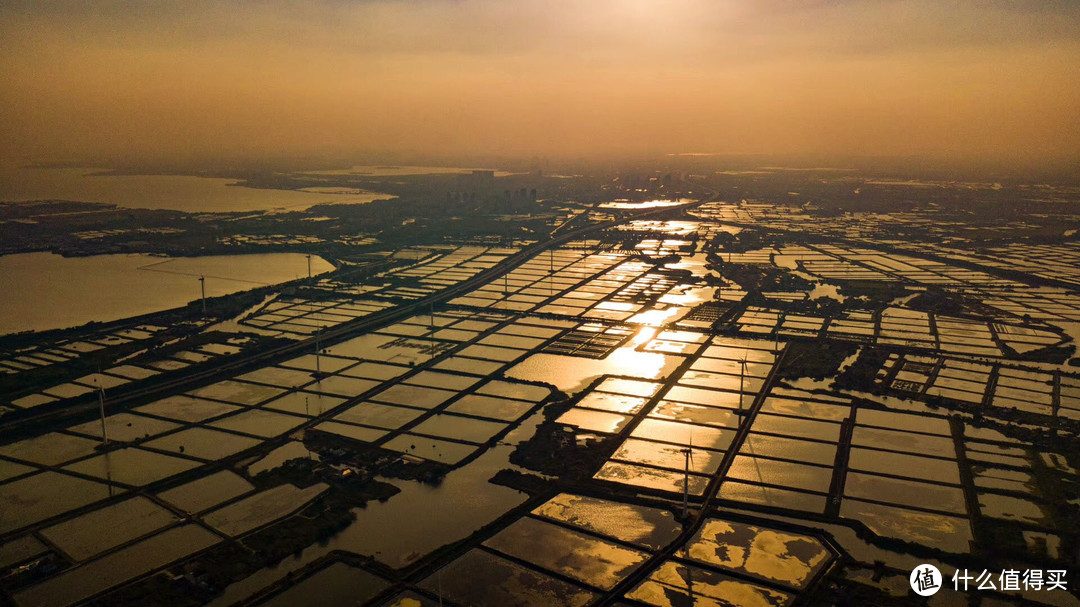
{"type": "Point", "coordinates": [178, 193]}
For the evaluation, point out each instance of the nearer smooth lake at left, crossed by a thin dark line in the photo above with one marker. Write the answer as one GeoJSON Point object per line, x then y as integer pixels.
{"type": "Point", "coordinates": [43, 291]}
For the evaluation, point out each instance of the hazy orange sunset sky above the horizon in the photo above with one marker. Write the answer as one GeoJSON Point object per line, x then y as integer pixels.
{"type": "Point", "coordinates": [990, 80]}
